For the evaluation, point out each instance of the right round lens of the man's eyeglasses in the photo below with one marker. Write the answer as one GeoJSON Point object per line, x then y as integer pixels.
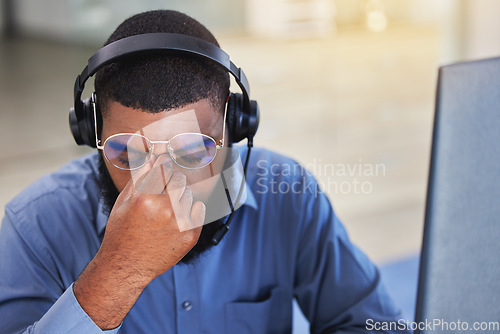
{"type": "Point", "coordinates": [193, 150]}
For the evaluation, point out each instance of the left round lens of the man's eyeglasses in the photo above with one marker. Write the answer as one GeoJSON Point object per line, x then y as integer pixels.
{"type": "Point", "coordinates": [127, 151]}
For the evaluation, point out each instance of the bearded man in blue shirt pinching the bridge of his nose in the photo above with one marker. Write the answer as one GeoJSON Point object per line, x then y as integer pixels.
{"type": "Point", "coordinates": [102, 245]}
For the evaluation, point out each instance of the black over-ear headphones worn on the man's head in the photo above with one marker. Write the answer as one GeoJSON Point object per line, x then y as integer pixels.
{"type": "Point", "coordinates": [242, 113]}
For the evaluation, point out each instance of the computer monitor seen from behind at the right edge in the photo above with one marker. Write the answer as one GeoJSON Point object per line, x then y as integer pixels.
{"type": "Point", "coordinates": [459, 280]}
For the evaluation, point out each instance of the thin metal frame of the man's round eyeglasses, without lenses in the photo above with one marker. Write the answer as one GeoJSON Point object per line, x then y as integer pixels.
{"type": "Point", "coordinates": [151, 143]}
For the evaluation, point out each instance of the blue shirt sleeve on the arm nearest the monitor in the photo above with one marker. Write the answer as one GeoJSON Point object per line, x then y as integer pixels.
{"type": "Point", "coordinates": [336, 286]}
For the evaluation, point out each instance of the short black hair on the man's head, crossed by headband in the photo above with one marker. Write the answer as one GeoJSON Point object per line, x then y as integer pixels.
{"type": "Point", "coordinates": [156, 83]}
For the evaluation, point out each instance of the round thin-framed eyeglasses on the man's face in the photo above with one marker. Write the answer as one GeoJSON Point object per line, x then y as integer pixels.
{"type": "Point", "coordinates": [130, 151]}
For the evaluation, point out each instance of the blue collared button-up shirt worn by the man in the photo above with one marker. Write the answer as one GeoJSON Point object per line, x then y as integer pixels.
{"type": "Point", "coordinates": [285, 242]}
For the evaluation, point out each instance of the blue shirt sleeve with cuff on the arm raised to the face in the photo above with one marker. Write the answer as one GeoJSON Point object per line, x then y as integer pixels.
{"type": "Point", "coordinates": [32, 299]}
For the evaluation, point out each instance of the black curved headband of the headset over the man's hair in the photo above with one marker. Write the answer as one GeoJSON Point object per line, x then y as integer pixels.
{"type": "Point", "coordinates": [160, 43]}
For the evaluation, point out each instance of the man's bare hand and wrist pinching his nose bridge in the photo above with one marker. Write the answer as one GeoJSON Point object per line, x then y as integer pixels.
{"type": "Point", "coordinates": [143, 239]}
